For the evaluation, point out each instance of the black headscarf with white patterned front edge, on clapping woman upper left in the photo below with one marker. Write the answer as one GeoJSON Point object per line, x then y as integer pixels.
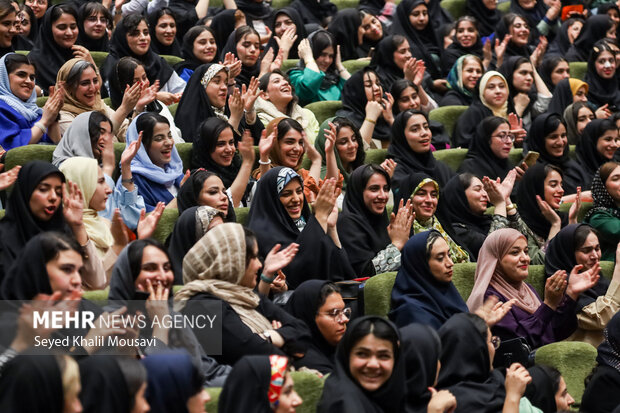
{"type": "Point", "coordinates": [194, 106]}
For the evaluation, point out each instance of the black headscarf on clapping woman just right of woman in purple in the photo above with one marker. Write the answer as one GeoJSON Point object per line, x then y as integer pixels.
{"type": "Point", "coordinates": [560, 255]}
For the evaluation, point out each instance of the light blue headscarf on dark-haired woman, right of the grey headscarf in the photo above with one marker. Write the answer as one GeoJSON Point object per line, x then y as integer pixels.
{"type": "Point", "coordinates": [143, 165]}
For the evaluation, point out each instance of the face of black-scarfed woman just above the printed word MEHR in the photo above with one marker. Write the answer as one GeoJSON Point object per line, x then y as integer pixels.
{"type": "Point", "coordinates": [64, 272]}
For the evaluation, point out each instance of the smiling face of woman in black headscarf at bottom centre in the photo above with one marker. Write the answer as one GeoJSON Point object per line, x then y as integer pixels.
{"type": "Point", "coordinates": [371, 362]}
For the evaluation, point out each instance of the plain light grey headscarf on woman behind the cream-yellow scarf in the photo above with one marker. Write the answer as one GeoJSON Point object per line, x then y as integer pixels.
{"type": "Point", "coordinates": [75, 141]}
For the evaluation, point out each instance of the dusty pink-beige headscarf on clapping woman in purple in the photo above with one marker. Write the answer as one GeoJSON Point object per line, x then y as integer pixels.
{"type": "Point", "coordinates": [495, 247]}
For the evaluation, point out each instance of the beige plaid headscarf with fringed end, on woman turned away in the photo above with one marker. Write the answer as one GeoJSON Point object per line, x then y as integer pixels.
{"type": "Point", "coordinates": [216, 265]}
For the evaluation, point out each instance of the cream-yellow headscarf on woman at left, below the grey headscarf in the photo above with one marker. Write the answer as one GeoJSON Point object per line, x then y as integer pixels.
{"type": "Point", "coordinates": [84, 172]}
